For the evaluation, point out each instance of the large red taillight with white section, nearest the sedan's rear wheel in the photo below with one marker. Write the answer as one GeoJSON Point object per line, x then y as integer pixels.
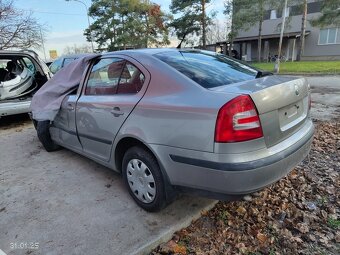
{"type": "Point", "coordinates": [238, 121]}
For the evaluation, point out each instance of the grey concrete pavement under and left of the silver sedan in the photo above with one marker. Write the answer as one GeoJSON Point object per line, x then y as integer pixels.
{"type": "Point", "coordinates": [62, 203]}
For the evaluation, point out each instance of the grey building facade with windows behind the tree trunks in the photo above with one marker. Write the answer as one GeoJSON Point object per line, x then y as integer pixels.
{"type": "Point", "coordinates": [320, 44]}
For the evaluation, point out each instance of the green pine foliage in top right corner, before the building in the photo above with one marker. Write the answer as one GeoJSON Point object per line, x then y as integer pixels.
{"type": "Point", "coordinates": [330, 14]}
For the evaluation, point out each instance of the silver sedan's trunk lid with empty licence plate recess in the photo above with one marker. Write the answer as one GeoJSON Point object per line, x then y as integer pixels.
{"type": "Point", "coordinates": [282, 103]}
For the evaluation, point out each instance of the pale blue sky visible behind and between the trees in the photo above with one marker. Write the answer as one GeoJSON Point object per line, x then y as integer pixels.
{"type": "Point", "coordinates": [66, 21]}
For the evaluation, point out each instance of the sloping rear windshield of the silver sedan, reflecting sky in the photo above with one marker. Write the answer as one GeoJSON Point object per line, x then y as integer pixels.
{"type": "Point", "coordinates": [208, 69]}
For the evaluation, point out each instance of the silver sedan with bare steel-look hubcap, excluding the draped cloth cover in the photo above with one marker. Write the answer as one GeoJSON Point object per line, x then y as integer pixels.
{"type": "Point", "coordinates": [171, 120]}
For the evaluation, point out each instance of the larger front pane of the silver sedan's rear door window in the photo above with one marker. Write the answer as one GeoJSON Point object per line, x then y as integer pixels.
{"type": "Point", "coordinates": [104, 77]}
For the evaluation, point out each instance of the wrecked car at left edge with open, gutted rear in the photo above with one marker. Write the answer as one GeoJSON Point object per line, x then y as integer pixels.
{"type": "Point", "coordinates": [22, 73]}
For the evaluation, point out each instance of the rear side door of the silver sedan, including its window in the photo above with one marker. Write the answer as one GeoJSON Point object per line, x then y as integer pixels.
{"type": "Point", "coordinates": [110, 93]}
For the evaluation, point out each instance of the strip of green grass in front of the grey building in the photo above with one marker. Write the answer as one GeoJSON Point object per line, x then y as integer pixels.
{"type": "Point", "coordinates": [303, 67]}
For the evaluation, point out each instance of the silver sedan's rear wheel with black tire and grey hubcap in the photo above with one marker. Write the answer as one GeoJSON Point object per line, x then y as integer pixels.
{"type": "Point", "coordinates": [145, 185]}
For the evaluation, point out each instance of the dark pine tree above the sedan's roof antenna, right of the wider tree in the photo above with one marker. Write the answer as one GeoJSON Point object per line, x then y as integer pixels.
{"type": "Point", "coordinates": [194, 19]}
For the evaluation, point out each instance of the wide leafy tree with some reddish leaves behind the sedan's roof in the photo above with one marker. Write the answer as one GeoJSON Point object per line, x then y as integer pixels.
{"type": "Point", "coordinates": [123, 24]}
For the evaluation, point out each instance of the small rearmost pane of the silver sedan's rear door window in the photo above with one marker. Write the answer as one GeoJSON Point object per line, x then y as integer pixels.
{"type": "Point", "coordinates": [131, 80]}
